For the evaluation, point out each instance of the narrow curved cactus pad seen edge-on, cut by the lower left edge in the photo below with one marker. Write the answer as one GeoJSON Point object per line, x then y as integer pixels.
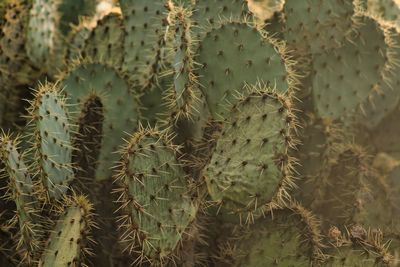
{"type": "Point", "coordinates": [22, 193]}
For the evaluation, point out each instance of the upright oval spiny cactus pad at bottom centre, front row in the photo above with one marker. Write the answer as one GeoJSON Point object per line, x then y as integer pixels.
{"type": "Point", "coordinates": [156, 198]}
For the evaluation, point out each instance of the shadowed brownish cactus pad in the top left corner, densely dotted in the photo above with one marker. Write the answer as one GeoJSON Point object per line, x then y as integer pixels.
{"type": "Point", "coordinates": [16, 70]}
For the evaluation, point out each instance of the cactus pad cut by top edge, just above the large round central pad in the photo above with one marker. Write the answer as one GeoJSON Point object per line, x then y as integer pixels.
{"type": "Point", "coordinates": [211, 13]}
